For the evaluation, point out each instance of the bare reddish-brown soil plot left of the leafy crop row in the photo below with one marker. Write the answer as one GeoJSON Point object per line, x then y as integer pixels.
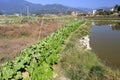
{"type": "Point", "coordinates": [14, 38]}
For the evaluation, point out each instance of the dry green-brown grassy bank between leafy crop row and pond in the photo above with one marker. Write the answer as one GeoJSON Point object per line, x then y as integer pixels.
{"type": "Point", "coordinates": [80, 64]}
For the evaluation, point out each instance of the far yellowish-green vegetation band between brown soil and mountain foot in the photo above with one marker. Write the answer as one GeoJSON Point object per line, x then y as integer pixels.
{"type": "Point", "coordinates": [13, 20]}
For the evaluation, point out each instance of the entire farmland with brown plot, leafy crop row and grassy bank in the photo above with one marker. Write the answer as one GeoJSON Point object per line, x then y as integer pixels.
{"type": "Point", "coordinates": [49, 49]}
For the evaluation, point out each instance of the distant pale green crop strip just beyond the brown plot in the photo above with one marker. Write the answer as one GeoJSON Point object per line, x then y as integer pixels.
{"type": "Point", "coordinates": [30, 19]}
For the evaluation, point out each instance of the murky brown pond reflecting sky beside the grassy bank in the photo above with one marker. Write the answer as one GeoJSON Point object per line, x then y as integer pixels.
{"type": "Point", "coordinates": [105, 42]}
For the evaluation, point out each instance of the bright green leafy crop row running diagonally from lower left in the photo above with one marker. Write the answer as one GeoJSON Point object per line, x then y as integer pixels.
{"type": "Point", "coordinates": [36, 62]}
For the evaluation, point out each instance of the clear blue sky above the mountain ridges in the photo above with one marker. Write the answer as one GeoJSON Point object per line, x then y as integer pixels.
{"type": "Point", "coordinates": [79, 3]}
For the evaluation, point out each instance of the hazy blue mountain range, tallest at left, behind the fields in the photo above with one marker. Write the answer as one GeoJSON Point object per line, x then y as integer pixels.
{"type": "Point", "coordinates": [20, 6]}
